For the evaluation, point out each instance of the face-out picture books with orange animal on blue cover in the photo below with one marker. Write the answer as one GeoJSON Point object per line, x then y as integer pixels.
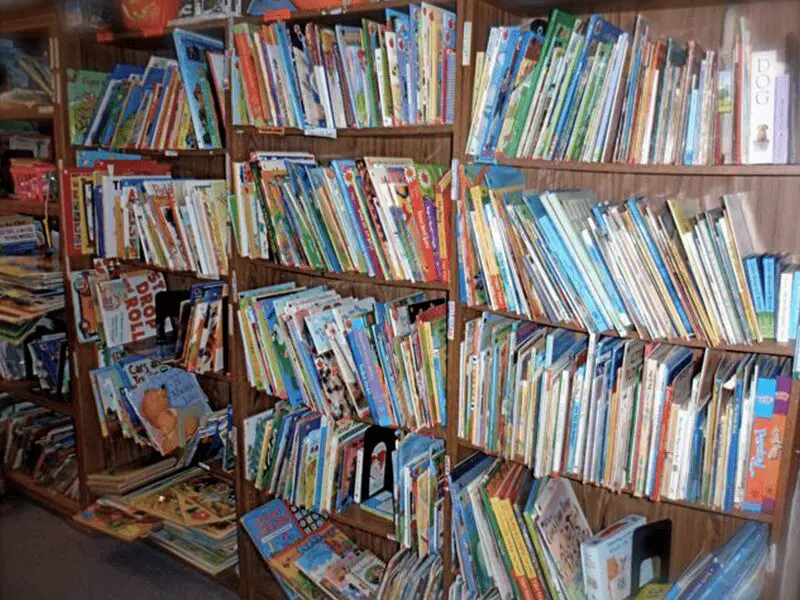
{"type": "Point", "coordinates": [153, 404]}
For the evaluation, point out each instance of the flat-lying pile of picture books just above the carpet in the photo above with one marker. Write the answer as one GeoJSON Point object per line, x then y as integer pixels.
{"type": "Point", "coordinates": [191, 514]}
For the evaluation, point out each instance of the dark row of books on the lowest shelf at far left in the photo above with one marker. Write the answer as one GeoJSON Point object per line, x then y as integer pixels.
{"type": "Point", "coordinates": [41, 444]}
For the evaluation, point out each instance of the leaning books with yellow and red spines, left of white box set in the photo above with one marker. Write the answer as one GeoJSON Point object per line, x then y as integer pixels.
{"type": "Point", "coordinates": [517, 536]}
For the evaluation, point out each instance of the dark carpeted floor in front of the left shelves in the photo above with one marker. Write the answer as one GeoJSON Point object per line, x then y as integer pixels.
{"type": "Point", "coordinates": [44, 558]}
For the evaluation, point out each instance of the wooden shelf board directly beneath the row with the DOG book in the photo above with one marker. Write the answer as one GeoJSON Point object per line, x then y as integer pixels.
{"type": "Point", "coordinates": [677, 170]}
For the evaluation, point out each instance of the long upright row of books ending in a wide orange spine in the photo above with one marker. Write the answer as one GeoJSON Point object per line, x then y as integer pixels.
{"type": "Point", "coordinates": [653, 420]}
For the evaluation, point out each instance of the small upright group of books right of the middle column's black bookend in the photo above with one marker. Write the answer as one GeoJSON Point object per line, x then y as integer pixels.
{"type": "Point", "coordinates": [419, 483]}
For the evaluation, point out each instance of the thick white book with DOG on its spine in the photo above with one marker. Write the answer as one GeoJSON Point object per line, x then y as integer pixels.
{"type": "Point", "coordinates": [764, 68]}
